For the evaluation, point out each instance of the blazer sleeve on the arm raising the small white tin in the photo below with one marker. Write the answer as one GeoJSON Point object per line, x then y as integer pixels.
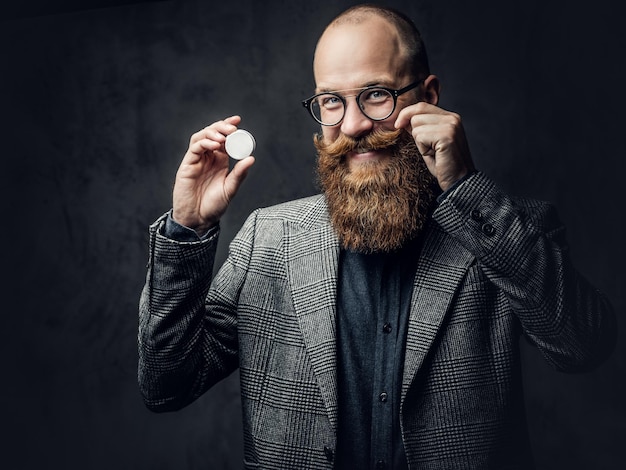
{"type": "Point", "coordinates": [186, 344]}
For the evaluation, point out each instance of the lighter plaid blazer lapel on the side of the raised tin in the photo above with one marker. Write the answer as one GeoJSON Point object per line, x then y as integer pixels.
{"type": "Point", "coordinates": [312, 253]}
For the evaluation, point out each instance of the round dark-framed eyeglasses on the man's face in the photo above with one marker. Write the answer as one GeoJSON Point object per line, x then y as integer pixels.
{"type": "Point", "coordinates": [375, 102]}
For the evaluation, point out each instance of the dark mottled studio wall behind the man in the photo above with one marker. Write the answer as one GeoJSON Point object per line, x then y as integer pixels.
{"type": "Point", "coordinates": [97, 109]}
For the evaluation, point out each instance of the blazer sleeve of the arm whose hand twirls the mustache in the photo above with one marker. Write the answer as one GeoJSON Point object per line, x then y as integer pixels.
{"type": "Point", "coordinates": [521, 246]}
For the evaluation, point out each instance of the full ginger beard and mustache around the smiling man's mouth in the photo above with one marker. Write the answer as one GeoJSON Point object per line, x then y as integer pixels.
{"type": "Point", "coordinates": [381, 205]}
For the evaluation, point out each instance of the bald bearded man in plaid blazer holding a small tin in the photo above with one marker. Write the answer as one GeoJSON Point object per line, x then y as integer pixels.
{"type": "Point", "coordinates": [375, 325]}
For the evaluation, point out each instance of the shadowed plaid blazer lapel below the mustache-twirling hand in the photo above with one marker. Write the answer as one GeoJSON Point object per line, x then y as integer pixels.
{"type": "Point", "coordinates": [441, 267]}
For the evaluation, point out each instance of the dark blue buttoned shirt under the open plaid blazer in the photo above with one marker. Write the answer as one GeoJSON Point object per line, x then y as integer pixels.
{"type": "Point", "coordinates": [374, 295]}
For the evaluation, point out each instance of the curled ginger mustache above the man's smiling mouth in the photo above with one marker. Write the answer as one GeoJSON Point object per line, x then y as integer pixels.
{"type": "Point", "coordinates": [375, 140]}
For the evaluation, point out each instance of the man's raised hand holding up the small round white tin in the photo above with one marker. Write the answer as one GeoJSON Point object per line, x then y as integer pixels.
{"type": "Point", "coordinates": [204, 185]}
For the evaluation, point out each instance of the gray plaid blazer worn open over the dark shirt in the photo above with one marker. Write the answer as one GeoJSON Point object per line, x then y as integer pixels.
{"type": "Point", "coordinates": [492, 269]}
